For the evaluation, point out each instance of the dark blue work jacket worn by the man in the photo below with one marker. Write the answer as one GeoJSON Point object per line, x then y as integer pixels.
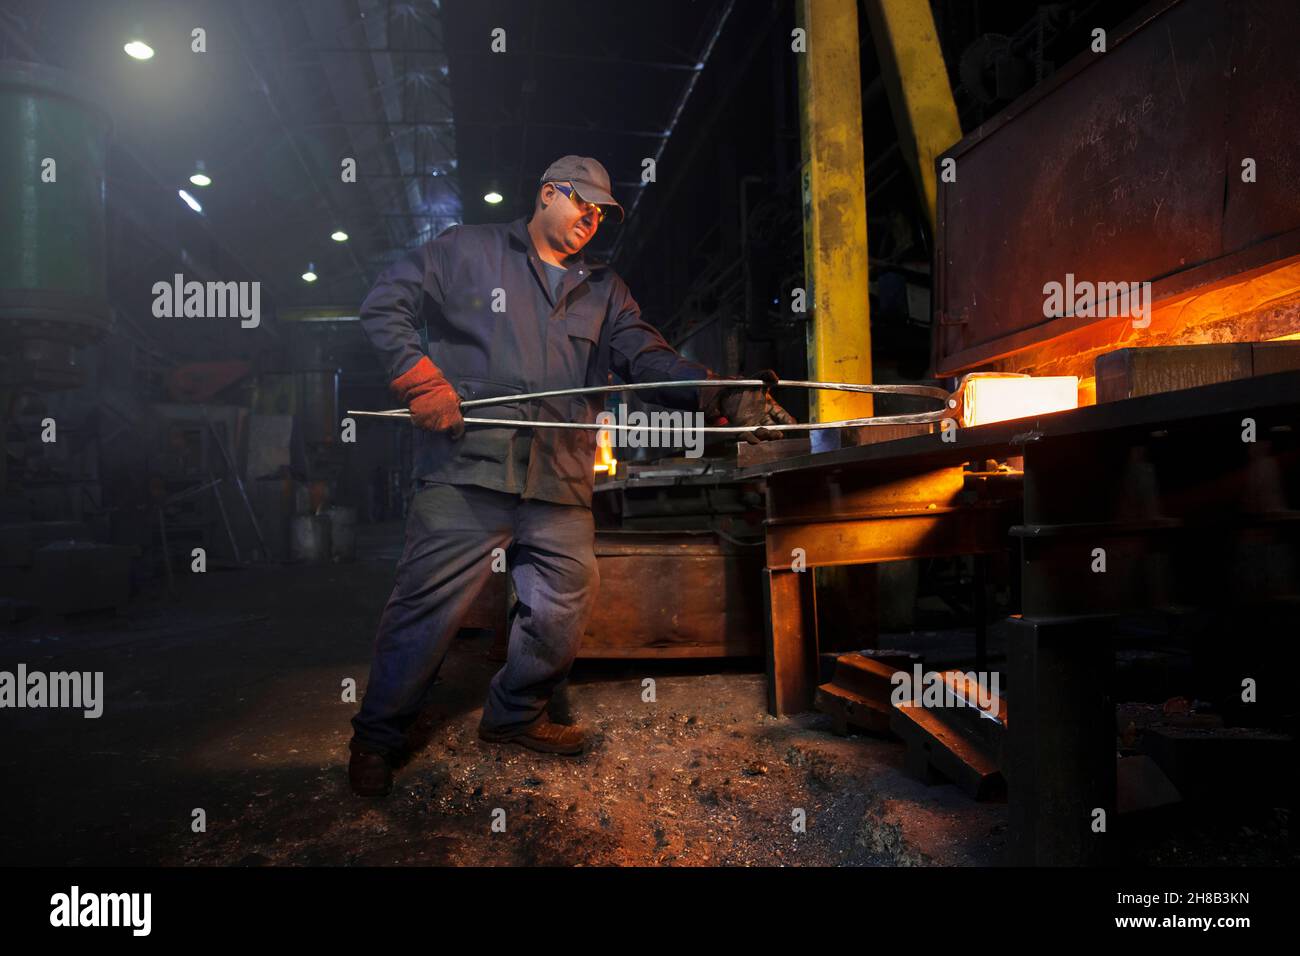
{"type": "Point", "coordinates": [496, 330]}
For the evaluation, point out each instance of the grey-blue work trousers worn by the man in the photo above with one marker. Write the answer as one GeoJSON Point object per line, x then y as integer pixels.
{"type": "Point", "coordinates": [450, 538]}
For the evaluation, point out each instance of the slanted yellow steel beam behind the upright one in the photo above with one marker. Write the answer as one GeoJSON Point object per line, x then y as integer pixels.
{"type": "Point", "coordinates": [916, 79]}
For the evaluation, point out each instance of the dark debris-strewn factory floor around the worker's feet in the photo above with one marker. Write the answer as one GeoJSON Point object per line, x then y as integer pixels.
{"type": "Point", "coordinates": [227, 699]}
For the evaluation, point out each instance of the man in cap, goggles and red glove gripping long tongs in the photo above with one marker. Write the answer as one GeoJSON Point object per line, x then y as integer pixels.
{"type": "Point", "coordinates": [510, 309]}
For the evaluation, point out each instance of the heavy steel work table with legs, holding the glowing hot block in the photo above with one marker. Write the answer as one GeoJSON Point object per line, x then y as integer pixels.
{"type": "Point", "coordinates": [1164, 485]}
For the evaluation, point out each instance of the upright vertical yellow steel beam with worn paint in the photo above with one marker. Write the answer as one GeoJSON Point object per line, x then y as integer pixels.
{"type": "Point", "coordinates": [835, 205]}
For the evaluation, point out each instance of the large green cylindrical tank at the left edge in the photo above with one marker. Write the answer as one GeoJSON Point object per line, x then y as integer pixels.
{"type": "Point", "coordinates": [53, 257]}
